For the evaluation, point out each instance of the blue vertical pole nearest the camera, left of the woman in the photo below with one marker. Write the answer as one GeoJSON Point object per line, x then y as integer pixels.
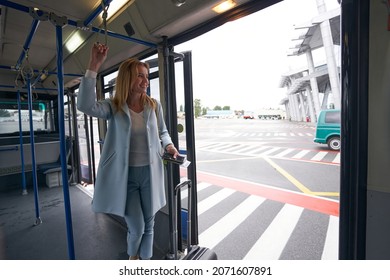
{"type": "Point", "coordinates": [61, 126]}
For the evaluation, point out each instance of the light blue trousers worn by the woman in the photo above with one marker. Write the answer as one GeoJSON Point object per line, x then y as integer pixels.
{"type": "Point", "coordinates": [138, 215]}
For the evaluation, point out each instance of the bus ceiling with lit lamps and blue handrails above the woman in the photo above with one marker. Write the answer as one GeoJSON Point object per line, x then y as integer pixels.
{"type": "Point", "coordinates": [129, 27]}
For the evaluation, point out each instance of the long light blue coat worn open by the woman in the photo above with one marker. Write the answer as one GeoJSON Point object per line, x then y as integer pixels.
{"type": "Point", "coordinates": [111, 180]}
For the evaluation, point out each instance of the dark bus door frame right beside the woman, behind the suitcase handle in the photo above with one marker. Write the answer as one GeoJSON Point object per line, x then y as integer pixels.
{"type": "Point", "coordinates": [173, 171]}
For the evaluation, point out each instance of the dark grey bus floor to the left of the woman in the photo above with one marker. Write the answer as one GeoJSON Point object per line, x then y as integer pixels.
{"type": "Point", "coordinates": [95, 236]}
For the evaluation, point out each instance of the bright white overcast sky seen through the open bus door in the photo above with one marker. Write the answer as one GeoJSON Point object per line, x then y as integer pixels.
{"type": "Point", "coordinates": [240, 63]}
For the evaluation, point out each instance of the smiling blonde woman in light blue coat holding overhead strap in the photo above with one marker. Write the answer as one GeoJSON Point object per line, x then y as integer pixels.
{"type": "Point", "coordinates": [130, 178]}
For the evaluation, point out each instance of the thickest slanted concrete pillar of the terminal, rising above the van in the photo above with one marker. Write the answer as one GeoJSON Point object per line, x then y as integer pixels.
{"type": "Point", "coordinates": [327, 40]}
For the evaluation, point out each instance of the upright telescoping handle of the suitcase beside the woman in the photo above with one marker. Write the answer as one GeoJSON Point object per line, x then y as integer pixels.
{"type": "Point", "coordinates": [189, 238]}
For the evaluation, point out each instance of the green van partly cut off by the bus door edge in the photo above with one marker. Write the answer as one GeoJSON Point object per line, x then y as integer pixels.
{"type": "Point", "coordinates": [328, 129]}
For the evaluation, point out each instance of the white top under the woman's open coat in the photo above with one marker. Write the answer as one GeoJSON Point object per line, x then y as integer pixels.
{"type": "Point", "coordinates": [139, 152]}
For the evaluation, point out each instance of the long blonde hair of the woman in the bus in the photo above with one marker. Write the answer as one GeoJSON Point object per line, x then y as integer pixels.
{"type": "Point", "coordinates": [127, 75]}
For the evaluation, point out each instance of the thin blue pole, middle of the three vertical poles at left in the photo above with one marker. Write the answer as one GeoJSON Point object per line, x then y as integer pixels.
{"type": "Point", "coordinates": [32, 143]}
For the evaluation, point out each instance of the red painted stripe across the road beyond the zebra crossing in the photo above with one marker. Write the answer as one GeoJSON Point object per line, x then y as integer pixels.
{"type": "Point", "coordinates": [318, 204]}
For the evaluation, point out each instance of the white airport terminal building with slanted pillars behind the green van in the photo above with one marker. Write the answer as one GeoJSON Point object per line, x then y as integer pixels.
{"type": "Point", "coordinates": [315, 87]}
